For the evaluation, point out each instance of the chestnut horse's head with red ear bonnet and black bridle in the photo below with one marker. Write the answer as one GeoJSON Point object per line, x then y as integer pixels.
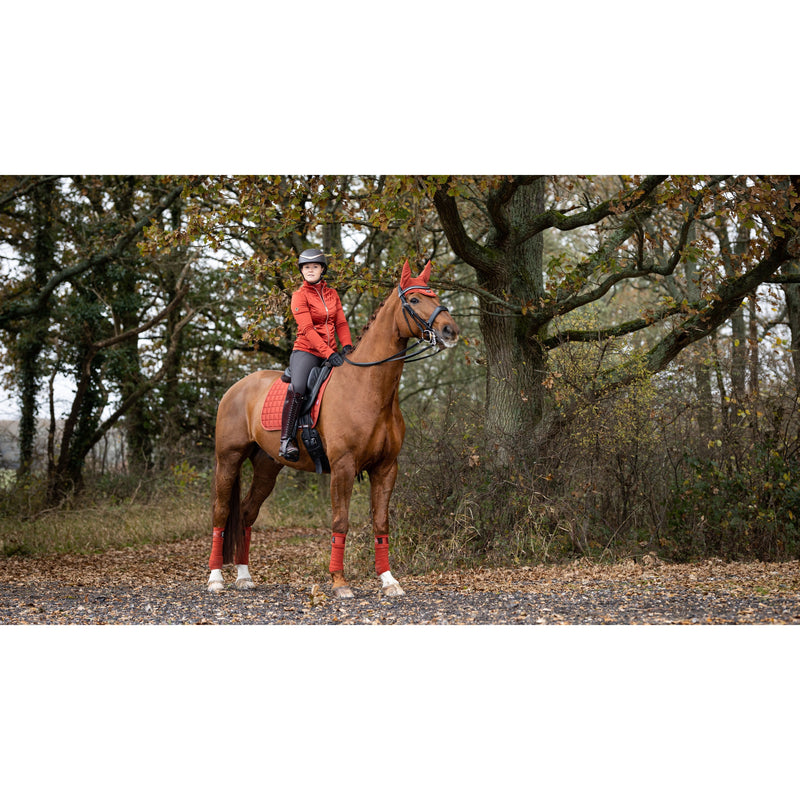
{"type": "Point", "coordinates": [423, 316]}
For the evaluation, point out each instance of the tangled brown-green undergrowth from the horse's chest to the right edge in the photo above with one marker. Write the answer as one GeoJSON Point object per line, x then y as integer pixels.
{"type": "Point", "coordinates": [616, 478]}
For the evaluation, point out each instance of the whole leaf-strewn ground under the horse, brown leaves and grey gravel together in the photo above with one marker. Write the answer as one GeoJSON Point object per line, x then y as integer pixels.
{"type": "Point", "coordinates": [165, 585]}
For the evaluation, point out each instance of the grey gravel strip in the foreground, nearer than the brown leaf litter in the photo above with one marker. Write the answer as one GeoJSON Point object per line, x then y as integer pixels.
{"type": "Point", "coordinates": [279, 604]}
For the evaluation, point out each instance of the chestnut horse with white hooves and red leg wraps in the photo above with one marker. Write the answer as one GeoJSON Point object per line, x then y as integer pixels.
{"type": "Point", "coordinates": [360, 425]}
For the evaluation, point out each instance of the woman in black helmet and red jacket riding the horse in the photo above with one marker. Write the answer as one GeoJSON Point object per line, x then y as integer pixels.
{"type": "Point", "coordinates": [318, 312]}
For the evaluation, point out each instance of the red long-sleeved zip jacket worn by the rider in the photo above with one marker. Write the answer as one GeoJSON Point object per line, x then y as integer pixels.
{"type": "Point", "coordinates": [318, 312]}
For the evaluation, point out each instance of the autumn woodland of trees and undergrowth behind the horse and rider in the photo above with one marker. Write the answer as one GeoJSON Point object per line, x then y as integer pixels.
{"type": "Point", "coordinates": [627, 380]}
